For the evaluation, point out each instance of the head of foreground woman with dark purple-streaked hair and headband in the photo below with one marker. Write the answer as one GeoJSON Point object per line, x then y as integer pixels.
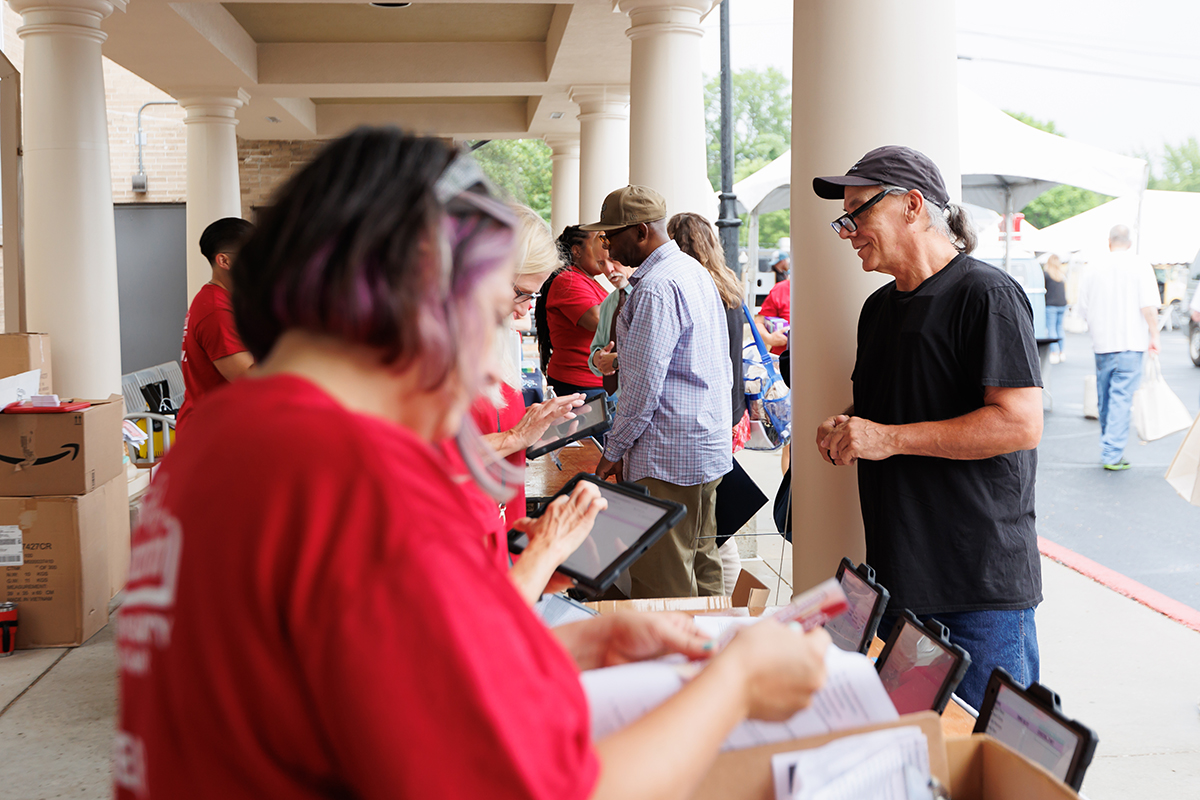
{"type": "Point", "coordinates": [381, 242]}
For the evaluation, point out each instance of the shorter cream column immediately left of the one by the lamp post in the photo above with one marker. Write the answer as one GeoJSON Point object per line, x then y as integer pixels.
{"type": "Point", "coordinates": [604, 145]}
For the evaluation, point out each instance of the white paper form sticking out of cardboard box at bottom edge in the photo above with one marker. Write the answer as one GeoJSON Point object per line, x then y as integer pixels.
{"type": "Point", "coordinates": [884, 765]}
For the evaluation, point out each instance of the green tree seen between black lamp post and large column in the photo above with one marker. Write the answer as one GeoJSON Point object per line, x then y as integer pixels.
{"type": "Point", "coordinates": [763, 133]}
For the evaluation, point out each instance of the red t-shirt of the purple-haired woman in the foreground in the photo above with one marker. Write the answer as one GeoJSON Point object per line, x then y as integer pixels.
{"type": "Point", "coordinates": [316, 618]}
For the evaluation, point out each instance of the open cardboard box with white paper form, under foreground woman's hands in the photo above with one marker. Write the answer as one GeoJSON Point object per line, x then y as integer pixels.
{"type": "Point", "coordinates": [746, 774]}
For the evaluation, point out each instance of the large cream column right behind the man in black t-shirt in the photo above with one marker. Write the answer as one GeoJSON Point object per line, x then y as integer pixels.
{"type": "Point", "coordinates": [847, 101]}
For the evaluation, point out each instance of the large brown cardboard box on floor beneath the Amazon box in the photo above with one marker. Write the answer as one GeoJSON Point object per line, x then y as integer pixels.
{"type": "Point", "coordinates": [64, 586]}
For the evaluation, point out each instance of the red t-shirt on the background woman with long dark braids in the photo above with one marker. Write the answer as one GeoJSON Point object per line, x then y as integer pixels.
{"type": "Point", "coordinates": [571, 296]}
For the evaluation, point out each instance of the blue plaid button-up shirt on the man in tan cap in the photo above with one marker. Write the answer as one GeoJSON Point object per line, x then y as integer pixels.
{"type": "Point", "coordinates": [674, 423]}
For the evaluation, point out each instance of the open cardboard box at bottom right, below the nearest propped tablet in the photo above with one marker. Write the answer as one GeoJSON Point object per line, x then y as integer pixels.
{"type": "Point", "coordinates": [985, 769]}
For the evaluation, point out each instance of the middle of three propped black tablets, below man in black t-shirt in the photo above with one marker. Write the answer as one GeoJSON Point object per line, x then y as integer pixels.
{"type": "Point", "coordinates": [920, 667]}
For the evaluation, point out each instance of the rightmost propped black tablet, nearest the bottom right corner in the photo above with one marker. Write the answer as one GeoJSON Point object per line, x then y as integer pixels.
{"type": "Point", "coordinates": [1031, 723]}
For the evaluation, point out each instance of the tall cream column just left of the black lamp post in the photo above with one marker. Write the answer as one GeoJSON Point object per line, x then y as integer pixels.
{"type": "Point", "coordinates": [667, 103]}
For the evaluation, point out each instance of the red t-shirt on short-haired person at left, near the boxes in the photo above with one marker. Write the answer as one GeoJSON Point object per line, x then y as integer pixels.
{"type": "Point", "coordinates": [209, 334]}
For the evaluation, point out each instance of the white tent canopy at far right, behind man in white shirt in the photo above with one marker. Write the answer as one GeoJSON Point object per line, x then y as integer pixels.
{"type": "Point", "coordinates": [1168, 233]}
